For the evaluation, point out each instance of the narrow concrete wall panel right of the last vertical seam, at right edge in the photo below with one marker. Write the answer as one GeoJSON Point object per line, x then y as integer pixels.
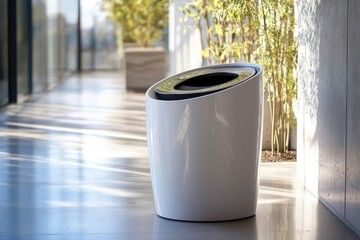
{"type": "Point", "coordinates": [352, 212]}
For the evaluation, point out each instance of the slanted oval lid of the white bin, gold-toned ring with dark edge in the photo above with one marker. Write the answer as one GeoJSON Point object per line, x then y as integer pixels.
{"type": "Point", "coordinates": [202, 81]}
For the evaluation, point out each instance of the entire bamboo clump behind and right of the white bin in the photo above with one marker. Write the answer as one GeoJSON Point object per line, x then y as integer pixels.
{"type": "Point", "coordinates": [252, 30]}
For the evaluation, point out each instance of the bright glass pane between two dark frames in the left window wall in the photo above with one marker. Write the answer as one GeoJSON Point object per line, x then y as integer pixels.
{"type": "Point", "coordinates": [54, 41]}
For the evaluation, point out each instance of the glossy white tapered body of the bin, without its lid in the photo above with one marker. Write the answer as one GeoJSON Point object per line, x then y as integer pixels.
{"type": "Point", "coordinates": [204, 153]}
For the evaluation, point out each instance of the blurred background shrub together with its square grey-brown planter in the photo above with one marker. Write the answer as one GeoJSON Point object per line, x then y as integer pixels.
{"type": "Point", "coordinates": [141, 21]}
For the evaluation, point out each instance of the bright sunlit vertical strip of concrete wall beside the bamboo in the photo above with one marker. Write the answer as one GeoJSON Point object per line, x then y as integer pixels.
{"type": "Point", "coordinates": [308, 34]}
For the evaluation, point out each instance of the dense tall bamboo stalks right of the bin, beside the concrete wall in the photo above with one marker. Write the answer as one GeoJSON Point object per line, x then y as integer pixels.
{"type": "Point", "coordinates": [278, 54]}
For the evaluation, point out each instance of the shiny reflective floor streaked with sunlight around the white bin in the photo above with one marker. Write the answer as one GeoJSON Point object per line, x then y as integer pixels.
{"type": "Point", "coordinates": [73, 165]}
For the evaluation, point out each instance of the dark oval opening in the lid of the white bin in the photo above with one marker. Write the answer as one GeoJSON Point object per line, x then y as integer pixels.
{"type": "Point", "coordinates": [206, 81]}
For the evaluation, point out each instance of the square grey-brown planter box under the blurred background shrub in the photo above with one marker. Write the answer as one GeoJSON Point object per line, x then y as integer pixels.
{"type": "Point", "coordinates": [144, 67]}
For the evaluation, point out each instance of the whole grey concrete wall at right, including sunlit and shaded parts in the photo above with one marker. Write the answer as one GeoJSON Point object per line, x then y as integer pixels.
{"type": "Point", "coordinates": [328, 116]}
